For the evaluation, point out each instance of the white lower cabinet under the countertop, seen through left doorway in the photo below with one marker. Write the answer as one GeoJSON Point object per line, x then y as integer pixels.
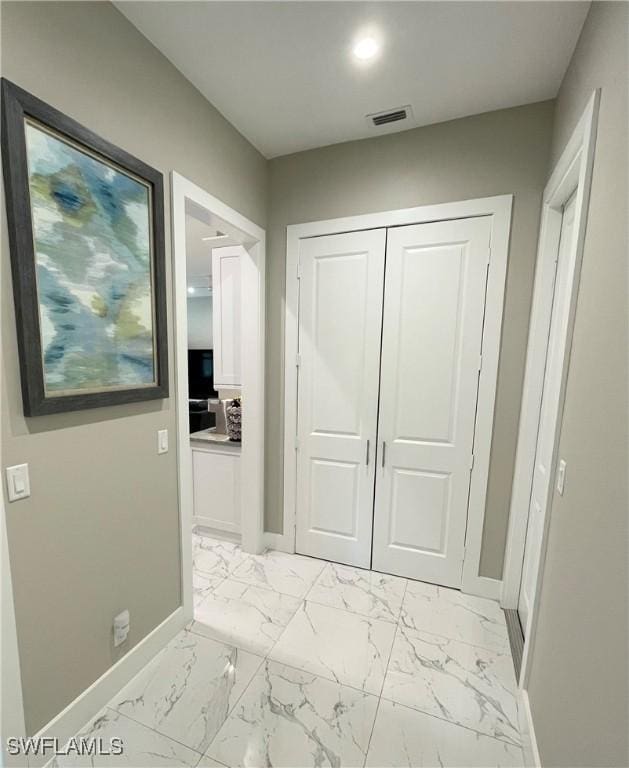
{"type": "Point", "coordinates": [216, 486]}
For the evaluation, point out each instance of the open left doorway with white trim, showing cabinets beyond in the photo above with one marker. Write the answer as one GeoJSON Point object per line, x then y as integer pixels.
{"type": "Point", "coordinates": [219, 262]}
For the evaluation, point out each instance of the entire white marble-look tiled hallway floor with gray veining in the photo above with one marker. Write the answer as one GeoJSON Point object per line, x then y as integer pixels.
{"type": "Point", "coordinates": [355, 662]}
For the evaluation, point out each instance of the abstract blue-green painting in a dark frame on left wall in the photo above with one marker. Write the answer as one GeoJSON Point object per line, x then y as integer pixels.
{"type": "Point", "coordinates": [86, 234]}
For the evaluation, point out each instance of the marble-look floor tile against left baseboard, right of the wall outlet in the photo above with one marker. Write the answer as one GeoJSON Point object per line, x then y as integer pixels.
{"type": "Point", "coordinates": [187, 691]}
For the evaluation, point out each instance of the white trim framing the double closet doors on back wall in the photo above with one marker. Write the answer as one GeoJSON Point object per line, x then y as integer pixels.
{"type": "Point", "coordinates": [499, 208]}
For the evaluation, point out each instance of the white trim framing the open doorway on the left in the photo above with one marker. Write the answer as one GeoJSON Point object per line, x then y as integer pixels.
{"type": "Point", "coordinates": [253, 335]}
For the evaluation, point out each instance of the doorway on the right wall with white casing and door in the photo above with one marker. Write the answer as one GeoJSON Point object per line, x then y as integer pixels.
{"type": "Point", "coordinates": [538, 471]}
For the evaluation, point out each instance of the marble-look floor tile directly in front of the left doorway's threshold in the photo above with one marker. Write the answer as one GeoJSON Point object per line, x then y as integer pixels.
{"type": "Point", "coordinates": [248, 617]}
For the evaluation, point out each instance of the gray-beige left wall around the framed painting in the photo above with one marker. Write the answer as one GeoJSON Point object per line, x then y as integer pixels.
{"type": "Point", "coordinates": [100, 531]}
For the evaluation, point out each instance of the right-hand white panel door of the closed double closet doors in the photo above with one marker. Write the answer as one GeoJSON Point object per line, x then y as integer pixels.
{"type": "Point", "coordinates": [436, 277]}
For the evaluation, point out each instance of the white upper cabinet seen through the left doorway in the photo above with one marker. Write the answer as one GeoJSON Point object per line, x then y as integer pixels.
{"type": "Point", "coordinates": [226, 315]}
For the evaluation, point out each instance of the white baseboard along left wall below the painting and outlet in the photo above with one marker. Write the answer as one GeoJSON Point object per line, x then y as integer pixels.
{"type": "Point", "coordinates": [80, 711]}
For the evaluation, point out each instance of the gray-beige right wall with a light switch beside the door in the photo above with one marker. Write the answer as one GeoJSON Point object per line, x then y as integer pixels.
{"type": "Point", "coordinates": [578, 687]}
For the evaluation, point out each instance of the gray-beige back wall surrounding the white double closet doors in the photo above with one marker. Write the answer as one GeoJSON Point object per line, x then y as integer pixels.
{"type": "Point", "coordinates": [491, 154]}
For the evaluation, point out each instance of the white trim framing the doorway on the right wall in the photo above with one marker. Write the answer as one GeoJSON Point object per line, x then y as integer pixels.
{"type": "Point", "coordinates": [573, 171]}
